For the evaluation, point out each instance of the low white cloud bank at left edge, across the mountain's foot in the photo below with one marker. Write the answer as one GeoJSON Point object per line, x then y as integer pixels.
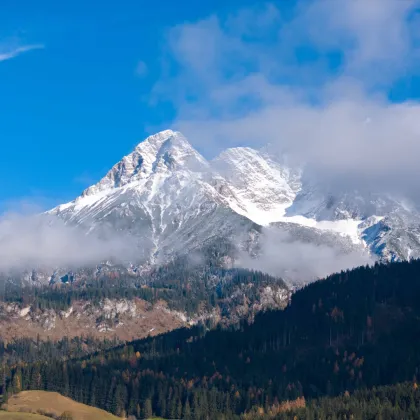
{"type": "Point", "coordinates": [41, 242]}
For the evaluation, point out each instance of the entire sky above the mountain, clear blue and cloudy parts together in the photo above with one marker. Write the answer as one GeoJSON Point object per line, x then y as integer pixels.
{"type": "Point", "coordinates": [81, 83]}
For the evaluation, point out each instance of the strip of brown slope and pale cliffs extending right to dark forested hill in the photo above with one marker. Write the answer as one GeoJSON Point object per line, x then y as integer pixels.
{"type": "Point", "coordinates": [129, 319]}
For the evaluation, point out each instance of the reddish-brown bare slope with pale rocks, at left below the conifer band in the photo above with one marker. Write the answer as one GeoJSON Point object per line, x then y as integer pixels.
{"type": "Point", "coordinates": [125, 319]}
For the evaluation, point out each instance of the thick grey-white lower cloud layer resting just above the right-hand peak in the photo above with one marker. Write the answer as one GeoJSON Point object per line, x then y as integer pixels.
{"type": "Point", "coordinates": [335, 139]}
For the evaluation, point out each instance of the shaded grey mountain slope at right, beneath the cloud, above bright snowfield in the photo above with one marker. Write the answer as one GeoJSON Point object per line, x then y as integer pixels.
{"type": "Point", "coordinates": [388, 227]}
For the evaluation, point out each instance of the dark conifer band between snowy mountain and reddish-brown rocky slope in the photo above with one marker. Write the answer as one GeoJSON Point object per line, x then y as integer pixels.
{"type": "Point", "coordinates": [183, 287]}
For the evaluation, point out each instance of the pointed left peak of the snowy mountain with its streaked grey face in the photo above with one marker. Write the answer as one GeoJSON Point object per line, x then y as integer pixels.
{"type": "Point", "coordinates": [165, 196]}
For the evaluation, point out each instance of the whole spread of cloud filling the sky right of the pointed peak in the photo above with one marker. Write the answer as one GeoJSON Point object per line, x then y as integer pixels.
{"type": "Point", "coordinates": [239, 82]}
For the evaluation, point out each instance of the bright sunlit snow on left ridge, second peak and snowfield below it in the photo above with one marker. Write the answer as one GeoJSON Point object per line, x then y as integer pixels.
{"type": "Point", "coordinates": [239, 160]}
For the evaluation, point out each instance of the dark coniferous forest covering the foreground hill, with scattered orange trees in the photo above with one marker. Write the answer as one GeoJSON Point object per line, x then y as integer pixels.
{"type": "Point", "coordinates": [346, 347]}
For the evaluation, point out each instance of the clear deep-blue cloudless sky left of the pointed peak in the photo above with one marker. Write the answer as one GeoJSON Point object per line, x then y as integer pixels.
{"type": "Point", "coordinates": [70, 110]}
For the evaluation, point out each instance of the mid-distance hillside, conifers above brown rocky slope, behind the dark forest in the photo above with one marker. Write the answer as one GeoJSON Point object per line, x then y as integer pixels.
{"type": "Point", "coordinates": [128, 308]}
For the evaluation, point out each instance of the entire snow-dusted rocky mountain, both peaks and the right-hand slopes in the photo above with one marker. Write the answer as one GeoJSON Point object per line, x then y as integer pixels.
{"type": "Point", "coordinates": [170, 201]}
